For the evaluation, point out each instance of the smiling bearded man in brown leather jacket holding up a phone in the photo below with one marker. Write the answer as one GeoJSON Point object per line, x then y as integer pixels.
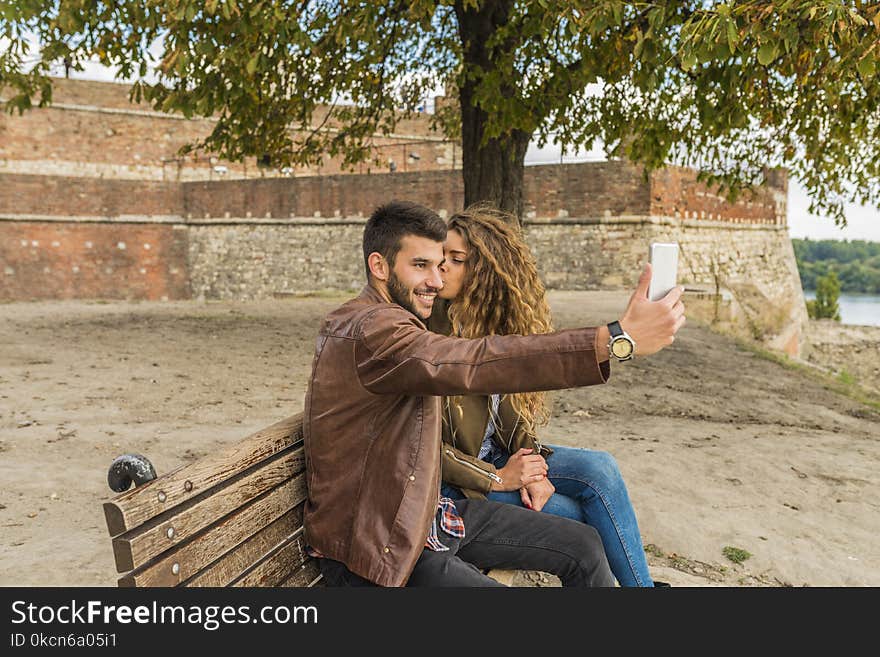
{"type": "Point", "coordinates": [372, 424]}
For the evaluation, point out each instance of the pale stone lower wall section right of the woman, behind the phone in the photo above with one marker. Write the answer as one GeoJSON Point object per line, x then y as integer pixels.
{"type": "Point", "coordinates": [742, 278]}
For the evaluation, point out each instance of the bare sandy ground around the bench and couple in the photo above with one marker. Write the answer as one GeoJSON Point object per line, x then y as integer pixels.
{"type": "Point", "coordinates": [720, 448]}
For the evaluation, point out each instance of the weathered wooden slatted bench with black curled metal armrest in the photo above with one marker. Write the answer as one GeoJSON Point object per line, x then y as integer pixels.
{"type": "Point", "coordinates": [232, 518]}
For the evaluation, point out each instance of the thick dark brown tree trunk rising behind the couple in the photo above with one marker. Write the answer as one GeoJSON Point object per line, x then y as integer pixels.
{"type": "Point", "coordinates": [492, 171]}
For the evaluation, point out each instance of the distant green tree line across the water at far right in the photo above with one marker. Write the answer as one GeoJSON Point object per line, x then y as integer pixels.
{"type": "Point", "coordinates": [856, 264]}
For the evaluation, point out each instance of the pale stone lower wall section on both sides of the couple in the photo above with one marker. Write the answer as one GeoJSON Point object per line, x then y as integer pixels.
{"type": "Point", "coordinates": [741, 278]}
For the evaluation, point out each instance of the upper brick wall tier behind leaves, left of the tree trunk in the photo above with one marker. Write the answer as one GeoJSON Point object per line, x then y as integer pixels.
{"type": "Point", "coordinates": [92, 130]}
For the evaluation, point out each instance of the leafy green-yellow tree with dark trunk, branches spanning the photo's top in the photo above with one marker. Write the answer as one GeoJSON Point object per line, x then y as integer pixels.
{"type": "Point", "coordinates": [726, 87]}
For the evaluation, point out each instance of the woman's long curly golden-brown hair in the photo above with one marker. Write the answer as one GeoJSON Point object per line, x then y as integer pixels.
{"type": "Point", "coordinates": [502, 293]}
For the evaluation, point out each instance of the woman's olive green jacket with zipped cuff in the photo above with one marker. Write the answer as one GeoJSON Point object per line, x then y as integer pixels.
{"type": "Point", "coordinates": [465, 419]}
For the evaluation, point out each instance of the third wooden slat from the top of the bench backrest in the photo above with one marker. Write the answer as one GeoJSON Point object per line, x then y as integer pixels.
{"type": "Point", "coordinates": [213, 543]}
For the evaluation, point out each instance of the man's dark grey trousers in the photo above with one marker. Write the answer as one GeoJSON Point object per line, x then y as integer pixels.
{"type": "Point", "coordinates": [501, 535]}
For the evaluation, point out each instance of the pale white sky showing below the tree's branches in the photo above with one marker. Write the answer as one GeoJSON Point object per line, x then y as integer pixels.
{"type": "Point", "coordinates": [863, 223]}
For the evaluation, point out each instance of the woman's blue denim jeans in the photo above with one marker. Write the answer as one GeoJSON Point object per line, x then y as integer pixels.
{"type": "Point", "coordinates": [590, 489]}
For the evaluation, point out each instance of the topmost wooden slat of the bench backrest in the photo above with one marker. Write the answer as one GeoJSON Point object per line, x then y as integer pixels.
{"type": "Point", "coordinates": [135, 507]}
